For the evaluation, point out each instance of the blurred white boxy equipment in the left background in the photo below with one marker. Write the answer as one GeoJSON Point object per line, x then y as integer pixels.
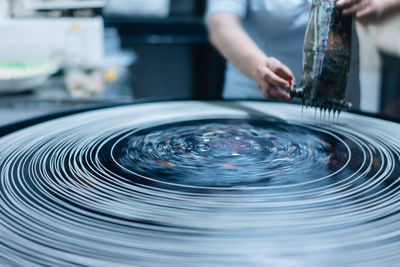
{"type": "Point", "coordinates": [46, 38]}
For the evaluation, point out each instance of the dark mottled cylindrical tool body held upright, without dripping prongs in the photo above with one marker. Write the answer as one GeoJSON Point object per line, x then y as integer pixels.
{"type": "Point", "coordinates": [326, 57]}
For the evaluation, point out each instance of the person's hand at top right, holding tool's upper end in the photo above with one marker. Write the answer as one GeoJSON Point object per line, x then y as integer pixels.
{"type": "Point", "coordinates": [367, 11]}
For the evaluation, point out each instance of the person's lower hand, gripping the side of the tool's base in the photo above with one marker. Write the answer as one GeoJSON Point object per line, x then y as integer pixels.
{"type": "Point", "coordinates": [274, 78]}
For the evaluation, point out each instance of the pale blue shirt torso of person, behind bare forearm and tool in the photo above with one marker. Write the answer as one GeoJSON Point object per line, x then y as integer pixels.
{"type": "Point", "coordinates": [278, 28]}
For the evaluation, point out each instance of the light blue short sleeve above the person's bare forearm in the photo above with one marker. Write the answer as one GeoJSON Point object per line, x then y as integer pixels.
{"type": "Point", "coordinates": [237, 7]}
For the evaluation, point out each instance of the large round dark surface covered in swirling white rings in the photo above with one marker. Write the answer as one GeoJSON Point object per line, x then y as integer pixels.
{"type": "Point", "coordinates": [149, 185]}
